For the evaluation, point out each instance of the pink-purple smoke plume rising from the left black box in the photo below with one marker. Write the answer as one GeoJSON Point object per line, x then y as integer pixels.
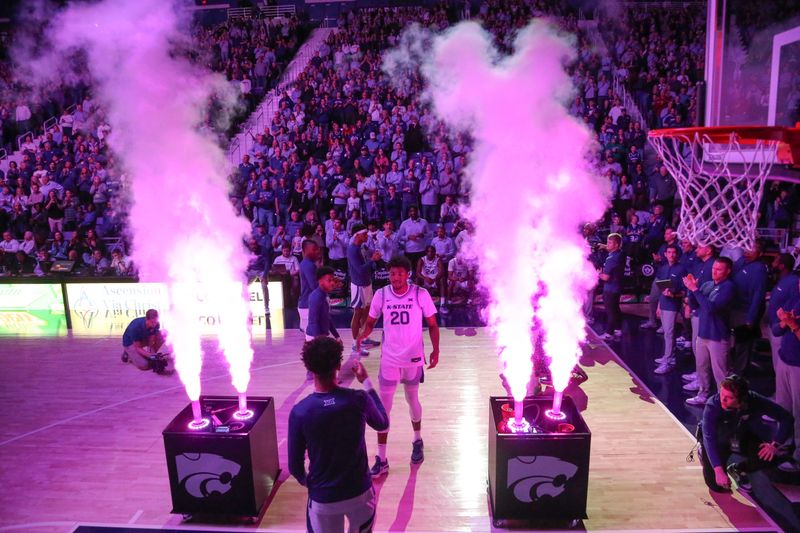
{"type": "Point", "coordinates": [185, 232]}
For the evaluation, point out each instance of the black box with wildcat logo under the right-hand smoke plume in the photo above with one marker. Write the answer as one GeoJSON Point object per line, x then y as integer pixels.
{"type": "Point", "coordinates": [541, 476]}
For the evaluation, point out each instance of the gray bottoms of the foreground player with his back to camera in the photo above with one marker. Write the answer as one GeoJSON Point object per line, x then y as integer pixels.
{"type": "Point", "coordinates": [329, 517]}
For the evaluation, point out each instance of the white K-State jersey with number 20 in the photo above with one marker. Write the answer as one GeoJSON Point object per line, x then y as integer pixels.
{"type": "Point", "coordinates": [402, 324]}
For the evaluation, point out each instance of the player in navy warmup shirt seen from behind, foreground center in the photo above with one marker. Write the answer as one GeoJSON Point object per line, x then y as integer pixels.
{"type": "Point", "coordinates": [329, 425]}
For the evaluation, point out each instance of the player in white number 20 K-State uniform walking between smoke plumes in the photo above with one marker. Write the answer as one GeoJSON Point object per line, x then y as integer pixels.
{"type": "Point", "coordinates": [403, 307]}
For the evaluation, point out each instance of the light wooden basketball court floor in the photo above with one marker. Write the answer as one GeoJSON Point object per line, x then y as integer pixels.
{"type": "Point", "coordinates": [80, 442]}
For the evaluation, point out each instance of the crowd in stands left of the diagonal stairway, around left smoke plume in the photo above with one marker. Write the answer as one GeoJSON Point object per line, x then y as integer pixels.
{"type": "Point", "coordinates": [62, 200]}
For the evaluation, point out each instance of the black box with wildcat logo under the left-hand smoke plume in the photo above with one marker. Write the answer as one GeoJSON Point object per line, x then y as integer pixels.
{"type": "Point", "coordinates": [230, 466]}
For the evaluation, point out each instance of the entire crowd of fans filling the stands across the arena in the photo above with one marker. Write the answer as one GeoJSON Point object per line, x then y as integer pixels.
{"type": "Point", "coordinates": [348, 145]}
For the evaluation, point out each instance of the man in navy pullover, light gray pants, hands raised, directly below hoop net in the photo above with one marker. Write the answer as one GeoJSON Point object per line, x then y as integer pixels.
{"type": "Point", "coordinates": [713, 300]}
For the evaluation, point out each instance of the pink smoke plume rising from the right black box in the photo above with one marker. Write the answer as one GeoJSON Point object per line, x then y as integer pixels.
{"type": "Point", "coordinates": [531, 183]}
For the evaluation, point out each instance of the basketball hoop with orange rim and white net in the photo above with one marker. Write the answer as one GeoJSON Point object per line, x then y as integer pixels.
{"type": "Point", "coordinates": [720, 173]}
